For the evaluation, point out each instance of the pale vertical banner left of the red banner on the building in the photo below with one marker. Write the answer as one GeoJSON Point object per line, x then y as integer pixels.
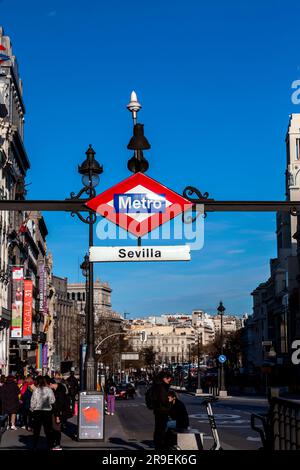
{"type": "Point", "coordinates": [17, 301]}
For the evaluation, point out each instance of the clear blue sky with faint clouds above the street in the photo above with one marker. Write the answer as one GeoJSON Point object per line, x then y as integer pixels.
{"type": "Point", "coordinates": [214, 79]}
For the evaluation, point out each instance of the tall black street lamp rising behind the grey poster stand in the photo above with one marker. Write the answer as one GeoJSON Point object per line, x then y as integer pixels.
{"type": "Point", "coordinates": [90, 170]}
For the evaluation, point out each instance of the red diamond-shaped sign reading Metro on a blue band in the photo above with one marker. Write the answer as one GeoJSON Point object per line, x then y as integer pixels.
{"type": "Point", "coordinates": [139, 204]}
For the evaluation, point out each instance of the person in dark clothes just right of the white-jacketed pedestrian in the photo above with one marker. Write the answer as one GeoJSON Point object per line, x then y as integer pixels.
{"type": "Point", "coordinates": [60, 409]}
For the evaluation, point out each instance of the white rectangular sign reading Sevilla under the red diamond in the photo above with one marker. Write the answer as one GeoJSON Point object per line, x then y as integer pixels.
{"type": "Point", "coordinates": [138, 253]}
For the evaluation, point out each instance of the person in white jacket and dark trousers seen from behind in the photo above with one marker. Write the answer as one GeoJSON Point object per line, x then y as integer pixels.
{"type": "Point", "coordinates": [41, 406]}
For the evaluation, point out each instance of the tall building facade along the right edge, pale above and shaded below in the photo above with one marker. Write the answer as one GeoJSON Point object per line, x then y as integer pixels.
{"type": "Point", "coordinates": [270, 330]}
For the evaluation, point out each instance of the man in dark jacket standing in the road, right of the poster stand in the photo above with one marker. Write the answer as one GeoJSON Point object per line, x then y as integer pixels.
{"type": "Point", "coordinates": [161, 408]}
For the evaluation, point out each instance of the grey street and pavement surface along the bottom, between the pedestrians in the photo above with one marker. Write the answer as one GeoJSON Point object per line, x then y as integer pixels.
{"type": "Point", "coordinates": [132, 426]}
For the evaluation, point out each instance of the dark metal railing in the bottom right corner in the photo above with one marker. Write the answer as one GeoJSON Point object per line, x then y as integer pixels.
{"type": "Point", "coordinates": [280, 427]}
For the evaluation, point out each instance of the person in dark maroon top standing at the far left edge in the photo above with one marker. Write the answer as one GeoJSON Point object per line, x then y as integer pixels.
{"type": "Point", "coordinates": [10, 400]}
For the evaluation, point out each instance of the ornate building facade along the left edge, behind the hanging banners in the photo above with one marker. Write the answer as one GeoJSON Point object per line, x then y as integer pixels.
{"type": "Point", "coordinates": [22, 234]}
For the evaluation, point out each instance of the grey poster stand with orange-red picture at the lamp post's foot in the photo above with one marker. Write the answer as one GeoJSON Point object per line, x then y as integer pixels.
{"type": "Point", "coordinates": [91, 416]}
